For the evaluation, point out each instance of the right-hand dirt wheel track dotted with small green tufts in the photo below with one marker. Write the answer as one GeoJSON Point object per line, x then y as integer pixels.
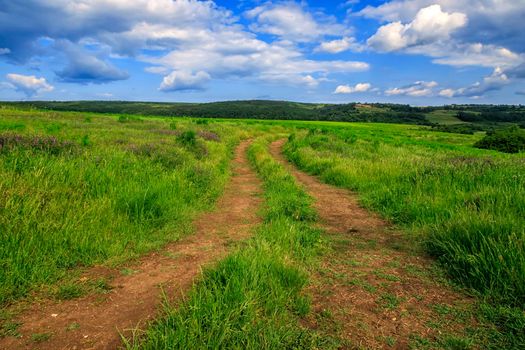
{"type": "Point", "coordinates": [379, 295]}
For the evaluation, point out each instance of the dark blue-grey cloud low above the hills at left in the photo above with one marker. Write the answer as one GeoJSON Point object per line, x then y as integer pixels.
{"type": "Point", "coordinates": [85, 68]}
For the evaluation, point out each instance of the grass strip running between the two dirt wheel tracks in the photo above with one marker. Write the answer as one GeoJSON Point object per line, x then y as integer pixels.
{"type": "Point", "coordinates": [252, 299]}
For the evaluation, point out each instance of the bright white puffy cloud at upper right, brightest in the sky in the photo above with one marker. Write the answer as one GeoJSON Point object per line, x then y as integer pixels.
{"type": "Point", "coordinates": [429, 25]}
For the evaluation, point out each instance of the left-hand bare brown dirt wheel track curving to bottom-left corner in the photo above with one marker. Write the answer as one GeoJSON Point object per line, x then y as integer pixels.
{"type": "Point", "coordinates": [94, 322]}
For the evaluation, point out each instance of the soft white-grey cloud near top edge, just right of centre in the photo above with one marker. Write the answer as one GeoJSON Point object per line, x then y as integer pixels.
{"type": "Point", "coordinates": [292, 22]}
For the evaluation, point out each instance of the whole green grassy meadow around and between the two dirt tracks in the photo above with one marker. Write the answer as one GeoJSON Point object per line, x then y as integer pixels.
{"type": "Point", "coordinates": [80, 189]}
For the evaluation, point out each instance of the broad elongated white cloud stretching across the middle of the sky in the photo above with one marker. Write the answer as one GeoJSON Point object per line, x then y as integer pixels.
{"type": "Point", "coordinates": [272, 62]}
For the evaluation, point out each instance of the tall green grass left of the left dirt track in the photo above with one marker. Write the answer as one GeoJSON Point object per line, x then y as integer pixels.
{"type": "Point", "coordinates": [79, 190]}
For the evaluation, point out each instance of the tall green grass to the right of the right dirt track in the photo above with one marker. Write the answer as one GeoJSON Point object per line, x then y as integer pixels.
{"type": "Point", "coordinates": [468, 204]}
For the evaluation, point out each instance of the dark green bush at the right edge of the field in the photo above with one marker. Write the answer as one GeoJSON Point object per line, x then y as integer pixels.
{"type": "Point", "coordinates": [510, 140]}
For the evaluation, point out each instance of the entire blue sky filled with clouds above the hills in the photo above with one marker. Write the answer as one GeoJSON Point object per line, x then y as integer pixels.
{"type": "Point", "coordinates": [420, 52]}
